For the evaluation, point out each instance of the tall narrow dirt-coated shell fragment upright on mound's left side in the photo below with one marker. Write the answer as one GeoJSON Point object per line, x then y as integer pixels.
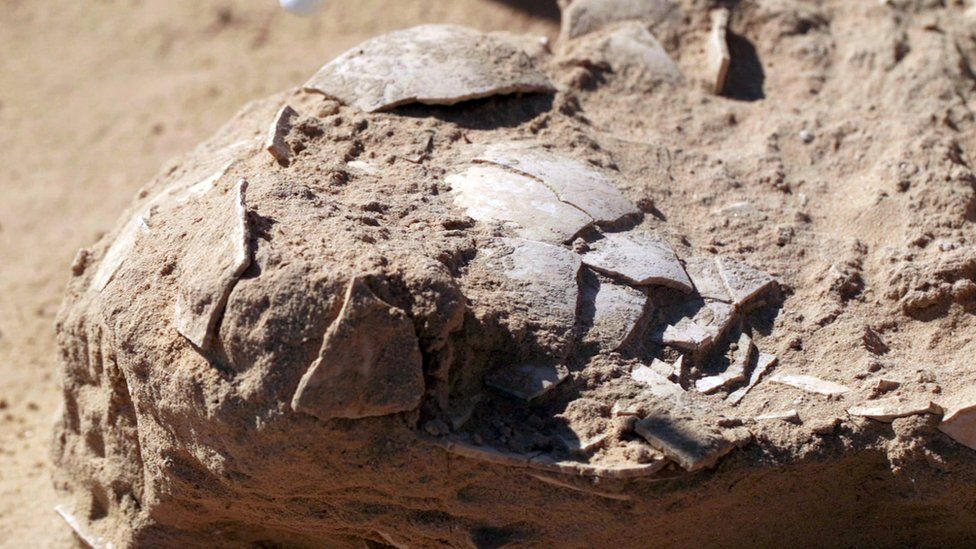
{"type": "Point", "coordinates": [217, 253]}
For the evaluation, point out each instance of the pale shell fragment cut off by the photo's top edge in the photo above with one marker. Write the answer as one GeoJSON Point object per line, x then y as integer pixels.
{"type": "Point", "coordinates": [585, 16]}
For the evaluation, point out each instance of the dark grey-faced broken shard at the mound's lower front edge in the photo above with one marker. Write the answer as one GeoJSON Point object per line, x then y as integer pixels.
{"type": "Point", "coordinates": [684, 436]}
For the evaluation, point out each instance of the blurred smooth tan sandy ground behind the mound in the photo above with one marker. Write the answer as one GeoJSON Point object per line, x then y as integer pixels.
{"type": "Point", "coordinates": [94, 98]}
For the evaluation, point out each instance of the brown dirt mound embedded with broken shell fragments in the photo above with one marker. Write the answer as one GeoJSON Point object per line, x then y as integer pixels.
{"type": "Point", "coordinates": [600, 301]}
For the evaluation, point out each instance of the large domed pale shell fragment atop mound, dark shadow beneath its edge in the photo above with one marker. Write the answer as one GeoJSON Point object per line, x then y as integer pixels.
{"type": "Point", "coordinates": [429, 64]}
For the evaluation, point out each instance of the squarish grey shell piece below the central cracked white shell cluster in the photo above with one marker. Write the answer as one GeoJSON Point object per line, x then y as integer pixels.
{"type": "Point", "coordinates": [616, 309]}
